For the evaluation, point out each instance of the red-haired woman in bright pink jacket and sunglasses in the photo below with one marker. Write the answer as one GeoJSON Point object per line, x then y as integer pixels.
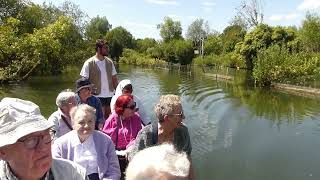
{"type": "Point", "coordinates": [123, 126]}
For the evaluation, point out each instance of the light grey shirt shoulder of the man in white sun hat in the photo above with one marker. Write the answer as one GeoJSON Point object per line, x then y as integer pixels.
{"type": "Point", "coordinates": [67, 169]}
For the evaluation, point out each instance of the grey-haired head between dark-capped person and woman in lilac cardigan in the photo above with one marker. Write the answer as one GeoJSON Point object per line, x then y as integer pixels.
{"type": "Point", "coordinates": [66, 100]}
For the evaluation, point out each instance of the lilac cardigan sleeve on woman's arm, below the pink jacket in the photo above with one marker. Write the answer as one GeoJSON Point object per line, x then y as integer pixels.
{"type": "Point", "coordinates": [113, 170]}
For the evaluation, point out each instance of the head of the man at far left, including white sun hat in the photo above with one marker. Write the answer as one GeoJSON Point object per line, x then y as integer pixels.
{"type": "Point", "coordinates": [25, 138]}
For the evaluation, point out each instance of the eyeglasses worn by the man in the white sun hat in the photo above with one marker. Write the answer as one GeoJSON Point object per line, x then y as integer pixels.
{"type": "Point", "coordinates": [34, 141]}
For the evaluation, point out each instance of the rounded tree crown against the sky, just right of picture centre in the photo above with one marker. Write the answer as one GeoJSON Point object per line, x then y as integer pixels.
{"type": "Point", "coordinates": [170, 30]}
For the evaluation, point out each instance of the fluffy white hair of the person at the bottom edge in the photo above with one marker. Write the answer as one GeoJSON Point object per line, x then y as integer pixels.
{"type": "Point", "coordinates": [157, 162]}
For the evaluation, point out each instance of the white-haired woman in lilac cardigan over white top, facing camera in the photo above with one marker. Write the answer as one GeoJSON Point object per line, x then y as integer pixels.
{"type": "Point", "coordinates": [91, 149]}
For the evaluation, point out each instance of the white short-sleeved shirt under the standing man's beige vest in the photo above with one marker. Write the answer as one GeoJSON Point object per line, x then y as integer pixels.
{"type": "Point", "coordinates": [105, 92]}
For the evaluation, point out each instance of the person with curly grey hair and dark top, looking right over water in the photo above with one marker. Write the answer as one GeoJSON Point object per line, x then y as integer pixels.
{"type": "Point", "coordinates": [167, 129]}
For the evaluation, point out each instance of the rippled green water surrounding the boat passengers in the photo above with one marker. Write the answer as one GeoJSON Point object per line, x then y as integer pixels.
{"type": "Point", "coordinates": [237, 131]}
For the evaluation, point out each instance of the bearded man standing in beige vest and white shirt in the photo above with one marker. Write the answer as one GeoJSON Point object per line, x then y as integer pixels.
{"type": "Point", "coordinates": [100, 71]}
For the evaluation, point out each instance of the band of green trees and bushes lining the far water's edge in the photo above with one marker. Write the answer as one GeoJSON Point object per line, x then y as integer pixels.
{"type": "Point", "coordinates": [45, 39]}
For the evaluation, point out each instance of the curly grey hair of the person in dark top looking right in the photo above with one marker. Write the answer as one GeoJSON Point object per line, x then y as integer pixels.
{"type": "Point", "coordinates": [166, 105]}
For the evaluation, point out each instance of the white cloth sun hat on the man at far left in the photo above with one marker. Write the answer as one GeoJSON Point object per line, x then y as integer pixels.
{"type": "Point", "coordinates": [19, 118]}
